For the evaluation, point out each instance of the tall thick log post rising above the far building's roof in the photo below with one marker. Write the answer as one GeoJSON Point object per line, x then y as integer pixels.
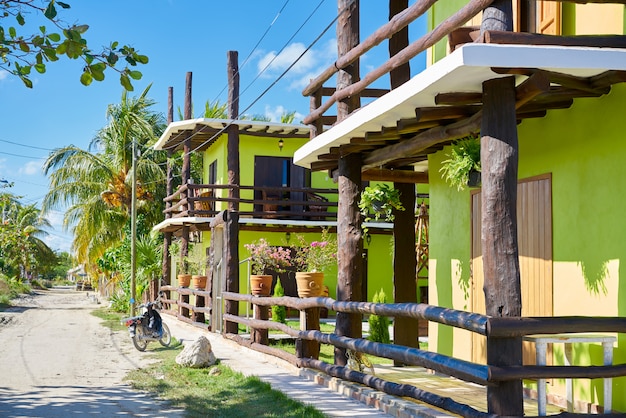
{"type": "Point", "coordinates": [232, 223]}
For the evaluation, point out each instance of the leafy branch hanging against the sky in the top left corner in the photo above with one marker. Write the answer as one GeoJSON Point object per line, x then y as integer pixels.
{"type": "Point", "coordinates": [21, 52]}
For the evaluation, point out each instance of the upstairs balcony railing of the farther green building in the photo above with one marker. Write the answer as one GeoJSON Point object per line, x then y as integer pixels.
{"type": "Point", "coordinates": [286, 203]}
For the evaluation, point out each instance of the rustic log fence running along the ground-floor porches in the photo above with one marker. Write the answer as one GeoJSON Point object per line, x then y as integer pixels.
{"type": "Point", "coordinates": [308, 340]}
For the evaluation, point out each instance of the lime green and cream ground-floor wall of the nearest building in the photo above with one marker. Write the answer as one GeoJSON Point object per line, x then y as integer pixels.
{"type": "Point", "coordinates": [584, 150]}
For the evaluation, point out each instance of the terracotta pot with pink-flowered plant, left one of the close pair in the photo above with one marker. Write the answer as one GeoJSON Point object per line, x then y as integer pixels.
{"type": "Point", "coordinates": [265, 257]}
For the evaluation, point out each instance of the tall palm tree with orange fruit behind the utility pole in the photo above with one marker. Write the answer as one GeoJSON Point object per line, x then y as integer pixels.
{"type": "Point", "coordinates": [95, 184]}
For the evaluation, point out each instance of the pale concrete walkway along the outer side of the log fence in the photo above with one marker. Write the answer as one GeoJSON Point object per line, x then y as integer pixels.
{"type": "Point", "coordinates": [298, 383]}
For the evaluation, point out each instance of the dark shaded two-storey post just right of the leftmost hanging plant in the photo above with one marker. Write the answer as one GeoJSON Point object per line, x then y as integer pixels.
{"type": "Point", "coordinates": [405, 330]}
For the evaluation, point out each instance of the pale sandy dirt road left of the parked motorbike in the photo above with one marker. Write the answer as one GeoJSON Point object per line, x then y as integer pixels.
{"type": "Point", "coordinates": [56, 360]}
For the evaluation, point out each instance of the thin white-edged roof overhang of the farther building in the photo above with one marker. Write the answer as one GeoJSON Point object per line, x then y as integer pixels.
{"type": "Point", "coordinates": [203, 132]}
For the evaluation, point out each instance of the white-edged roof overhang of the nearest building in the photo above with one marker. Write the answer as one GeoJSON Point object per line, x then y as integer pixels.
{"type": "Point", "coordinates": [464, 70]}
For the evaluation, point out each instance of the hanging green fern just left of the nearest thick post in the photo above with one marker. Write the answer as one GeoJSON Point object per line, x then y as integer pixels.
{"type": "Point", "coordinates": [462, 168]}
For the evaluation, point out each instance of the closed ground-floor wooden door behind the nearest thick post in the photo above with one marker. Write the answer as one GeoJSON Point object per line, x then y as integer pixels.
{"type": "Point", "coordinates": [534, 234]}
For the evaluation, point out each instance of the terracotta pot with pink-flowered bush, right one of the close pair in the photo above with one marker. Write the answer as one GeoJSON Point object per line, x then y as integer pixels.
{"type": "Point", "coordinates": [311, 260]}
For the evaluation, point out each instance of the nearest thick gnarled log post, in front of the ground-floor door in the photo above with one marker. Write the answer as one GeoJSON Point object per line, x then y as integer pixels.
{"type": "Point", "coordinates": [499, 154]}
